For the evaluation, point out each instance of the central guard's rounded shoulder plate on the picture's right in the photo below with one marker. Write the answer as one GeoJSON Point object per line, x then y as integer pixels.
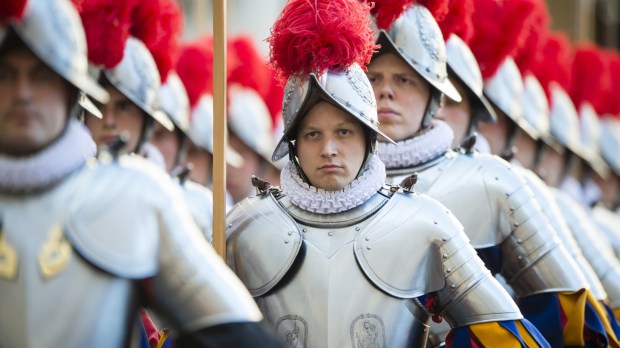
{"type": "Point", "coordinates": [411, 232]}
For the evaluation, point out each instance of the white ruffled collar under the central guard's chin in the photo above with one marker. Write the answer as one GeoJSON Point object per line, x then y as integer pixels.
{"type": "Point", "coordinates": [319, 201]}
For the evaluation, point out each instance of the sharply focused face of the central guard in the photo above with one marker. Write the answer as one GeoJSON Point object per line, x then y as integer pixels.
{"type": "Point", "coordinates": [331, 147]}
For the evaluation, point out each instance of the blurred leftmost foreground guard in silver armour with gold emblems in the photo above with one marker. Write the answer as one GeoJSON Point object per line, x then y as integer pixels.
{"type": "Point", "coordinates": [89, 241]}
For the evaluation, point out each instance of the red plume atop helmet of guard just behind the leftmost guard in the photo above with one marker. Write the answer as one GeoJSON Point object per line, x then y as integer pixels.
{"type": "Point", "coordinates": [166, 50]}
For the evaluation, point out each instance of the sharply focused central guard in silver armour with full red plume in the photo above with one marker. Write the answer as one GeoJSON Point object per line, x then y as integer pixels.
{"type": "Point", "coordinates": [334, 258]}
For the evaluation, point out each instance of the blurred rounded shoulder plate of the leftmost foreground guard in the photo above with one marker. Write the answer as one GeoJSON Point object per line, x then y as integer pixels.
{"type": "Point", "coordinates": [115, 215]}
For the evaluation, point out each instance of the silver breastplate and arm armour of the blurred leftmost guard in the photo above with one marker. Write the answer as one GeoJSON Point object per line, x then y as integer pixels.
{"type": "Point", "coordinates": [80, 249]}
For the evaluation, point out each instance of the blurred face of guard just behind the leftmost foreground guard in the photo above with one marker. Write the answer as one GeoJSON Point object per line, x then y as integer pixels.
{"type": "Point", "coordinates": [119, 115]}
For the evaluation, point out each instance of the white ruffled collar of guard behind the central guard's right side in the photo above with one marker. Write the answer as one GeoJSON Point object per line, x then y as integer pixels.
{"type": "Point", "coordinates": [418, 150]}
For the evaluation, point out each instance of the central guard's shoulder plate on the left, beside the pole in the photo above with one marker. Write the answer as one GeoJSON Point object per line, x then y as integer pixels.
{"type": "Point", "coordinates": [262, 242]}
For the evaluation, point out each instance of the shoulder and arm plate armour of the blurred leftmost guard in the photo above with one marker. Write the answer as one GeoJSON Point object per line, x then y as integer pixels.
{"type": "Point", "coordinates": [149, 233]}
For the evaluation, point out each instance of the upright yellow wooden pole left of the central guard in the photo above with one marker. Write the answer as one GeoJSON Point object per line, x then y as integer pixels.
{"type": "Point", "coordinates": [219, 127]}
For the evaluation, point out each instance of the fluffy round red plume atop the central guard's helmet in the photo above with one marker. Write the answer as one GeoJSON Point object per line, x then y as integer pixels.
{"type": "Point", "coordinates": [312, 36]}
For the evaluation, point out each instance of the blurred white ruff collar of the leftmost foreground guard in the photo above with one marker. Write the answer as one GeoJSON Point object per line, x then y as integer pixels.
{"type": "Point", "coordinates": [49, 166]}
